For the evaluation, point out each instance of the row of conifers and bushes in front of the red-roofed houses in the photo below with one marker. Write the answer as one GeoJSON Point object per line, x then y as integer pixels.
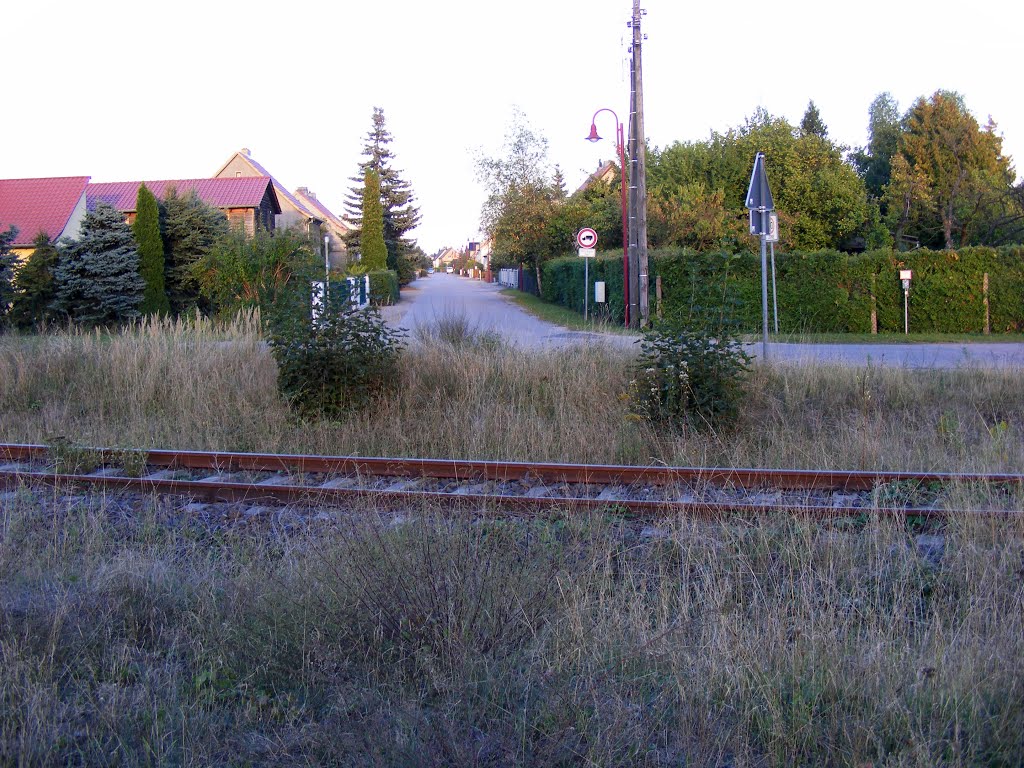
{"type": "Point", "coordinates": [179, 257]}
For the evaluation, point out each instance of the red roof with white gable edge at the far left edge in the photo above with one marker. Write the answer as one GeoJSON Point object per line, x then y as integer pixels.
{"type": "Point", "coordinates": [39, 205]}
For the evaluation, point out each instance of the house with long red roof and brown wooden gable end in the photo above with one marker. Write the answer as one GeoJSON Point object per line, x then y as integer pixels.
{"type": "Point", "coordinates": [250, 204]}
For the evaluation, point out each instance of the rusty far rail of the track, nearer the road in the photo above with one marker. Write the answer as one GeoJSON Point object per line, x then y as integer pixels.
{"type": "Point", "coordinates": [787, 480]}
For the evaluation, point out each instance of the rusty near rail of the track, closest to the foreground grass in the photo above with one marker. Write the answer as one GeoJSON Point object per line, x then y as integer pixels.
{"type": "Point", "coordinates": [641, 508]}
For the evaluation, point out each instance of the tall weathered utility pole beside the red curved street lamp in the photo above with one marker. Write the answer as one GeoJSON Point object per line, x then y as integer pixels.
{"type": "Point", "coordinates": [639, 276]}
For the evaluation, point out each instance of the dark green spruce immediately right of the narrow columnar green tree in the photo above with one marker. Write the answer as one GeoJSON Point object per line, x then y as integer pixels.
{"type": "Point", "coordinates": [191, 230]}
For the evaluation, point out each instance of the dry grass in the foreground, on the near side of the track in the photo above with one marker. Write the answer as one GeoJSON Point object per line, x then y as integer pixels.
{"type": "Point", "coordinates": [578, 642]}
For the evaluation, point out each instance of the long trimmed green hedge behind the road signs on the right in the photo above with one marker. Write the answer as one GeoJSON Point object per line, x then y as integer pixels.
{"type": "Point", "coordinates": [821, 291]}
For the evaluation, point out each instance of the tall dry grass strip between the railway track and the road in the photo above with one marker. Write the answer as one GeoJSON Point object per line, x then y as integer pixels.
{"type": "Point", "coordinates": [465, 395]}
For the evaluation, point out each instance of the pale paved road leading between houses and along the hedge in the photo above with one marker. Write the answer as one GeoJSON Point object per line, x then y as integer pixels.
{"type": "Point", "coordinates": [431, 300]}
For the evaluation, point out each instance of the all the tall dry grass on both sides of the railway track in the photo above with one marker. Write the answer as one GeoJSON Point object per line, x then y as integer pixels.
{"type": "Point", "coordinates": [141, 636]}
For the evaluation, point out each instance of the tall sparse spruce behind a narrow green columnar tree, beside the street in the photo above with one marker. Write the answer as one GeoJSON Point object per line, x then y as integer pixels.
{"type": "Point", "coordinates": [401, 216]}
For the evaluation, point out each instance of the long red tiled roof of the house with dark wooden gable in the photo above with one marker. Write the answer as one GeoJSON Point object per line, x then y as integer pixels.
{"type": "Point", "coordinates": [241, 192]}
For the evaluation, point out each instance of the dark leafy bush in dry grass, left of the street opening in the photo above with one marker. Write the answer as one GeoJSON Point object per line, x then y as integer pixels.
{"type": "Point", "coordinates": [344, 360]}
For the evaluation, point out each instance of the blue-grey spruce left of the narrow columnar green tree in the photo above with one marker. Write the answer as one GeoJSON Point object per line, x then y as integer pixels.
{"type": "Point", "coordinates": [98, 280]}
